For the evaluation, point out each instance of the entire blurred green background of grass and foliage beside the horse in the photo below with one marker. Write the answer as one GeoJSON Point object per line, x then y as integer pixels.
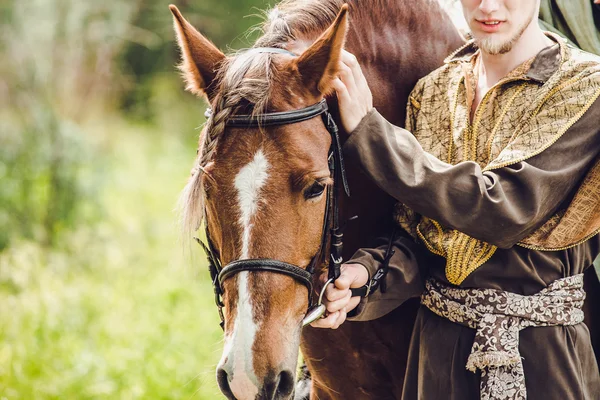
{"type": "Point", "coordinates": [96, 139]}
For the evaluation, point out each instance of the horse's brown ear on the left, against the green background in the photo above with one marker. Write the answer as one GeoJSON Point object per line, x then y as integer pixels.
{"type": "Point", "coordinates": [200, 58]}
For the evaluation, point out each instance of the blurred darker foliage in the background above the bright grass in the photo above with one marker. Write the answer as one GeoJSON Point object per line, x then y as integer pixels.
{"type": "Point", "coordinates": [67, 62]}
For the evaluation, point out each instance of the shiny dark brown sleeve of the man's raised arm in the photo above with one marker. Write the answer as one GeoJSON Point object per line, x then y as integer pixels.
{"type": "Point", "coordinates": [501, 206]}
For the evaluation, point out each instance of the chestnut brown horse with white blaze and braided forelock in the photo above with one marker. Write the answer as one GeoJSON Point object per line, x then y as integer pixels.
{"type": "Point", "coordinates": [263, 191]}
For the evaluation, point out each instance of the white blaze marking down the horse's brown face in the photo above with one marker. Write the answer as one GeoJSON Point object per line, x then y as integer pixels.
{"type": "Point", "coordinates": [238, 350]}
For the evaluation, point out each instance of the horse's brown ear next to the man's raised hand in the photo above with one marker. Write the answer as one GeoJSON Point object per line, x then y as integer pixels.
{"type": "Point", "coordinates": [318, 65]}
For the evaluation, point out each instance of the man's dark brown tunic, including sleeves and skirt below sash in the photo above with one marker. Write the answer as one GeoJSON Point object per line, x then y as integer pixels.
{"type": "Point", "coordinates": [500, 207]}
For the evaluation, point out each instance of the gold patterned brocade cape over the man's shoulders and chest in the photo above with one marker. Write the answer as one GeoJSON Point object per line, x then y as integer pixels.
{"type": "Point", "coordinates": [540, 115]}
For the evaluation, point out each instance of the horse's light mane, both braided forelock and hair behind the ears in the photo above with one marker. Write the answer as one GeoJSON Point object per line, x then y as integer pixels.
{"type": "Point", "coordinates": [244, 78]}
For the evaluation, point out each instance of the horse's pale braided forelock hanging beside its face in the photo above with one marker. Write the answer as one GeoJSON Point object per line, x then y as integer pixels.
{"type": "Point", "coordinates": [244, 80]}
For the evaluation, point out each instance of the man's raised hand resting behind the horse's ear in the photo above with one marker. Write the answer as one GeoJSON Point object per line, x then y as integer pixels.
{"type": "Point", "coordinates": [354, 96]}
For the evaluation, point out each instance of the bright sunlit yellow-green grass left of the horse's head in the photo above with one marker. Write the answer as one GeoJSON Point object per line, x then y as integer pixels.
{"type": "Point", "coordinates": [121, 309]}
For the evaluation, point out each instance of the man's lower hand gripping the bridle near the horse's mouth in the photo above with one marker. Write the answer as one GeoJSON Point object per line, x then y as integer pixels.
{"type": "Point", "coordinates": [338, 296]}
